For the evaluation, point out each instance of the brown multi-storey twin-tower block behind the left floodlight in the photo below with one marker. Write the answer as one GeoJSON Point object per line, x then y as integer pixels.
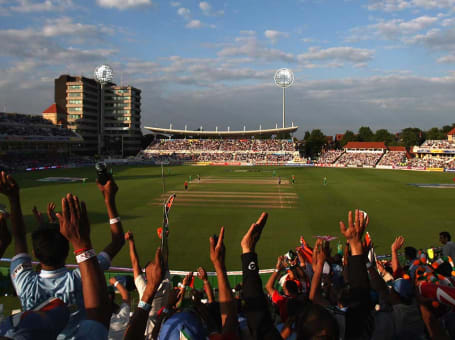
{"type": "Point", "coordinates": [78, 106]}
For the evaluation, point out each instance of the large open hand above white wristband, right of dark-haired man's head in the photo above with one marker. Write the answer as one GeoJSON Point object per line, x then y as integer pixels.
{"type": "Point", "coordinates": [74, 224]}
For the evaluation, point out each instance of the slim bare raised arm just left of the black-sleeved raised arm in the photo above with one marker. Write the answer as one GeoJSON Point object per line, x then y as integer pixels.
{"type": "Point", "coordinates": [228, 307]}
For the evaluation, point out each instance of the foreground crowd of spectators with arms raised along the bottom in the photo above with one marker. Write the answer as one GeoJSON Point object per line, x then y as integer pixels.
{"type": "Point", "coordinates": [313, 293]}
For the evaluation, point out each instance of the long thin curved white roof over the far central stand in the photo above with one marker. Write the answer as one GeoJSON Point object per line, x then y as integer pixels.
{"type": "Point", "coordinates": [241, 133]}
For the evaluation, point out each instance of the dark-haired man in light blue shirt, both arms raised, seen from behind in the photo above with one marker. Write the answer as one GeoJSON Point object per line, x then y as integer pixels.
{"type": "Point", "coordinates": [51, 249]}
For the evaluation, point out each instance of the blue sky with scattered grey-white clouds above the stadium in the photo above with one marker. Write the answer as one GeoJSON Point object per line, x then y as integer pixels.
{"type": "Point", "coordinates": [379, 63]}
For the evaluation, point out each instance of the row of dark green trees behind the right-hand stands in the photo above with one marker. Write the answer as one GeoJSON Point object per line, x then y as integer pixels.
{"type": "Point", "coordinates": [315, 141]}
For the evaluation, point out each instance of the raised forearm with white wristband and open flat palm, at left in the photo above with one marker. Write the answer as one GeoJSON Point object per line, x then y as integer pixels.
{"type": "Point", "coordinates": [75, 226]}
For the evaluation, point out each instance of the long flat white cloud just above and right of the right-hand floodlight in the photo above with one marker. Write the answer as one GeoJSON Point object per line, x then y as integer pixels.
{"type": "Point", "coordinates": [342, 53]}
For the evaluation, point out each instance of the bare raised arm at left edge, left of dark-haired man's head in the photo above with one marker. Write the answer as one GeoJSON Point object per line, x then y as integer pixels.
{"type": "Point", "coordinates": [10, 189]}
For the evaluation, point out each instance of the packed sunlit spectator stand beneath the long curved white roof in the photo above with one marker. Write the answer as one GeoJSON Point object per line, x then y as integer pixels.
{"type": "Point", "coordinates": [222, 150]}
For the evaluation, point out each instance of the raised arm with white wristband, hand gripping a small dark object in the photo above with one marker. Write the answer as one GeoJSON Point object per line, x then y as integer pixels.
{"type": "Point", "coordinates": [109, 192]}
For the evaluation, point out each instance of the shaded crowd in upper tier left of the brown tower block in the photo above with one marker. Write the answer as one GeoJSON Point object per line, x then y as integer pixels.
{"type": "Point", "coordinates": [30, 125]}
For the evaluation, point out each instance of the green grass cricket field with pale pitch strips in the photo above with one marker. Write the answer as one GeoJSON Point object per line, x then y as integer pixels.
{"type": "Point", "coordinates": [234, 197]}
